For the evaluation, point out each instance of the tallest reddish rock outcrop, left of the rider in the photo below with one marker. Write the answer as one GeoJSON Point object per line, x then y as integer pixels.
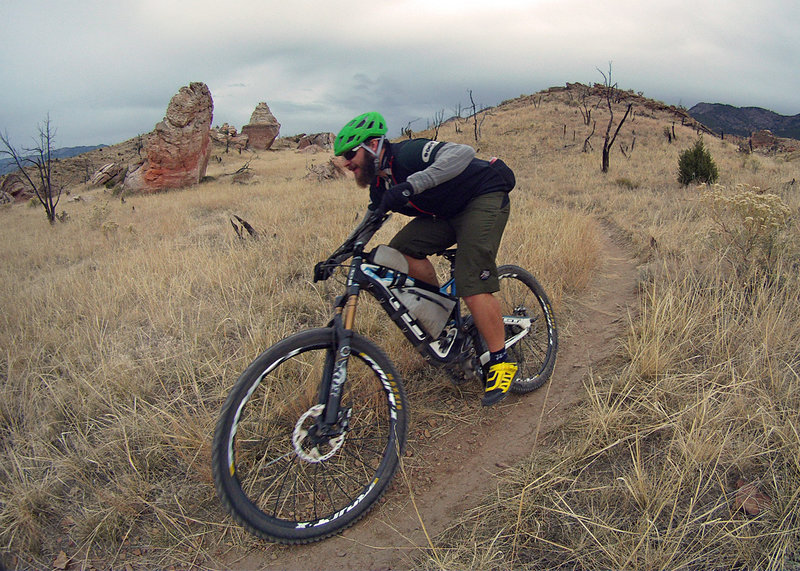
{"type": "Point", "coordinates": [177, 150]}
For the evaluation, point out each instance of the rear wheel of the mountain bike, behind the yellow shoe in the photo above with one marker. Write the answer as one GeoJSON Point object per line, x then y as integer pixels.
{"type": "Point", "coordinates": [530, 326]}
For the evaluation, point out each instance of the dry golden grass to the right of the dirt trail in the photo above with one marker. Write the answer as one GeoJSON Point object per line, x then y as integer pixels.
{"type": "Point", "coordinates": [705, 393]}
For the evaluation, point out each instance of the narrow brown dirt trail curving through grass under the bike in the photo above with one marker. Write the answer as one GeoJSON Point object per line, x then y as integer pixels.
{"type": "Point", "coordinates": [459, 468]}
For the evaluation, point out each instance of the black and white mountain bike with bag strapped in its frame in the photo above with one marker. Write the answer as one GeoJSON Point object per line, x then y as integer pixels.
{"type": "Point", "coordinates": [313, 431]}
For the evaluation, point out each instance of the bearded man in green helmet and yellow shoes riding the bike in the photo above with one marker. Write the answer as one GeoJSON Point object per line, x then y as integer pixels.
{"type": "Point", "coordinates": [454, 198]}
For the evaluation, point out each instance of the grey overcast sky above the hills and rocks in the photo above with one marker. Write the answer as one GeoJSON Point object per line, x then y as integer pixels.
{"type": "Point", "coordinates": [105, 71]}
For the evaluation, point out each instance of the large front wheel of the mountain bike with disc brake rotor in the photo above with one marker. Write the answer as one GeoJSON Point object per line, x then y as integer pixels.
{"type": "Point", "coordinates": [282, 476]}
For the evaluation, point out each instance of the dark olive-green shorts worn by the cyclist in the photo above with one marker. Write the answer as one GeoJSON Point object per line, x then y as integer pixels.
{"type": "Point", "coordinates": [477, 230]}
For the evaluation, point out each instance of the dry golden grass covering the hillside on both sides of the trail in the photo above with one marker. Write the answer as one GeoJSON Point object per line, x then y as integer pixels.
{"type": "Point", "coordinates": [124, 328]}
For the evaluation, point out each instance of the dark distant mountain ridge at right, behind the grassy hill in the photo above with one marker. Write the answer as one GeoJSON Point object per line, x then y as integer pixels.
{"type": "Point", "coordinates": [744, 121]}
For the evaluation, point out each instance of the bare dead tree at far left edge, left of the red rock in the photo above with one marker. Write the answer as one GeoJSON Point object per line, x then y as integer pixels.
{"type": "Point", "coordinates": [35, 166]}
